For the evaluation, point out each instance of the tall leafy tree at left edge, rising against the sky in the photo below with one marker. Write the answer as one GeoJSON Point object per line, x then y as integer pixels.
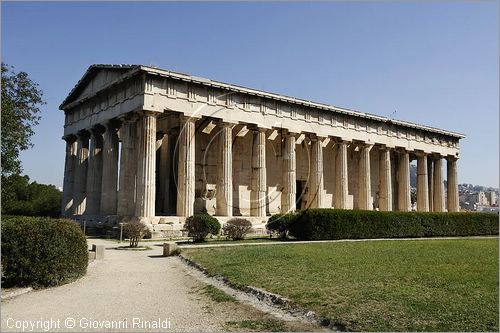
{"type": "Point", "coordinates": [21, 101]}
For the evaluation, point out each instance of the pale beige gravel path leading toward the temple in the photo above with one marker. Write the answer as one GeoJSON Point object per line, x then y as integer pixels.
{"type": "Point", "coordinates": [123, 286]}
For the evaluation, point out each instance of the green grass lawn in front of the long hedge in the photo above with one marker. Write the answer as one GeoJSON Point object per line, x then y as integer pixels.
{"type": "Point", "coordinates": [428, 285]}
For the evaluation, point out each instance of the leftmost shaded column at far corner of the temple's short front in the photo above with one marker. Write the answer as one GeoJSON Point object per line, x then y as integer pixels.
{"type": "Point", "coordinates": [67, 206]}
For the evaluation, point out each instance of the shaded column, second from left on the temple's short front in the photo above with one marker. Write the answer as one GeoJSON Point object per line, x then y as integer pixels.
{"type": "Point", "coordinates": [80, 196]}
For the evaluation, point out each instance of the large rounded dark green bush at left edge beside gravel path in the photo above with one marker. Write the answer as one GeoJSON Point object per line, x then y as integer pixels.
{"type": "Point", "coordinates": [42, 252]}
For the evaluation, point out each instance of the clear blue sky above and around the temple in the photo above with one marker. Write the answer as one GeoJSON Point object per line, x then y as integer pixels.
{"type": "Point", "coordinates": [435, 63]}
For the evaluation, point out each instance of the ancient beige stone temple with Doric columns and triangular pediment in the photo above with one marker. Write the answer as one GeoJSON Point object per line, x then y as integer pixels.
{"type": "Point", "coordinates": [147, 143]}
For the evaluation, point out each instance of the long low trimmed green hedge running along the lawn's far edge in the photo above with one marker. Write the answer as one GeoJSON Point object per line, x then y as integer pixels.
{"type": "Point", "coordinates": [319, 224]}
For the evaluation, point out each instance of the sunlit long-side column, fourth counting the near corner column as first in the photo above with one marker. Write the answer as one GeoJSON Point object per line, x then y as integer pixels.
{"type": "Point", "coordinates": [259, 183]}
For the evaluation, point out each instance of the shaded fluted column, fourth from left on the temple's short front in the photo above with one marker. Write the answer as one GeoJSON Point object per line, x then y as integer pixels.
{"type": "Point", "coordinates": [109, 170]}
